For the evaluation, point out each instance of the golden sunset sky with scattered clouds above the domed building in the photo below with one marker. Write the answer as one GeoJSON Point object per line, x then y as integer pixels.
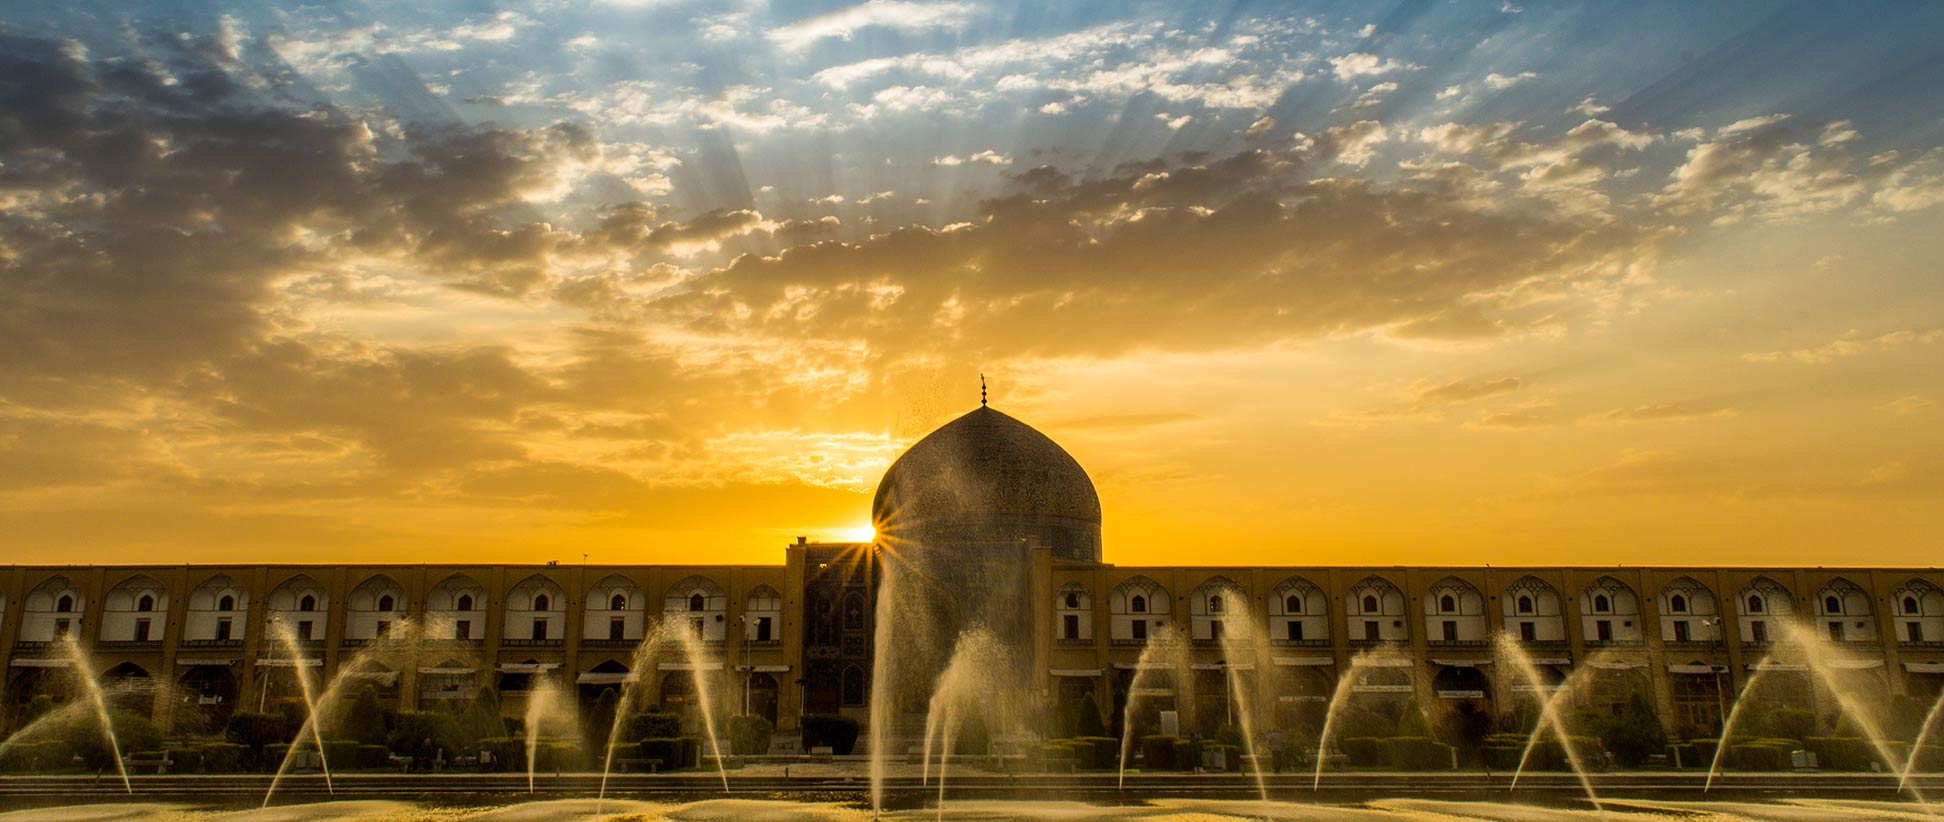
{"type": "Point", "coordinates": [666, 281]}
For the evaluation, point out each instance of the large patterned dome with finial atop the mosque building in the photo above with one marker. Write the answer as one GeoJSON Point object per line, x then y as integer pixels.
{"type": "Point", "coordinates": [989, 477]}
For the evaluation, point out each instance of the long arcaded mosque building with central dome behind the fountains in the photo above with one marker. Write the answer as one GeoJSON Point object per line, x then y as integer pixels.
{"type": "Point", "coordinates": [1002, 530]}
